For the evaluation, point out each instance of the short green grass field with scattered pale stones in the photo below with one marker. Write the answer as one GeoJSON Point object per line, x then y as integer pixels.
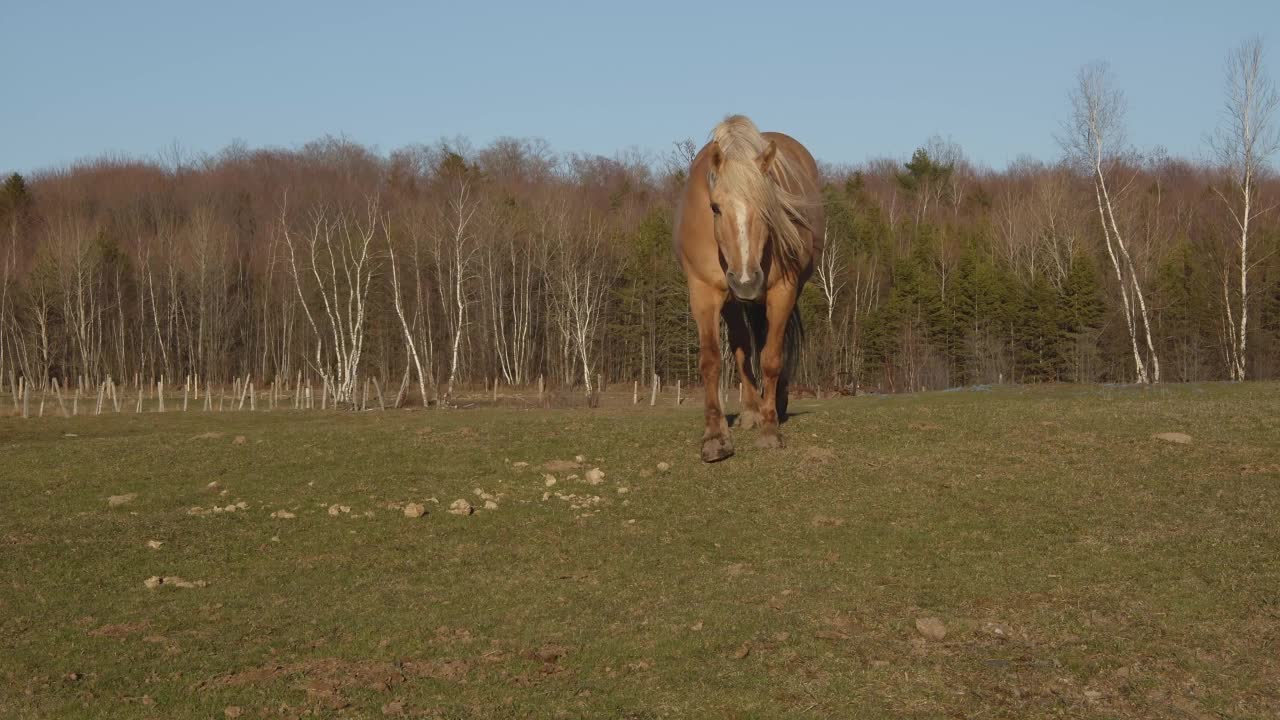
{"type": "Point", "coordinates": [1080, 567]}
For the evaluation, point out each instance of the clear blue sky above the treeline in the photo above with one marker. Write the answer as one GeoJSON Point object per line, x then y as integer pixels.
{"type": "Point", "coordinates": [85, 79]}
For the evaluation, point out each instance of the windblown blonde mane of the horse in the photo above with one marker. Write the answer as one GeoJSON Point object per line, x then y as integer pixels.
{"type": "Point", "coordinates": [740, 177]}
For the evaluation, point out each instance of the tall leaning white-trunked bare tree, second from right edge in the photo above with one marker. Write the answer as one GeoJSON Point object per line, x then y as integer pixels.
{"type": "Point", "coordinates": [1095, 139]}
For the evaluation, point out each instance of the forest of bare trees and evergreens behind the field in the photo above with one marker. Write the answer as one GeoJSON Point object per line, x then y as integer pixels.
{"type": "Point", "coordinates": [446, 266]}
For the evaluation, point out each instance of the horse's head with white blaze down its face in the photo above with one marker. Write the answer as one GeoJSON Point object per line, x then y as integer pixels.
{"type": "Point", "coordinates": [740, 192]}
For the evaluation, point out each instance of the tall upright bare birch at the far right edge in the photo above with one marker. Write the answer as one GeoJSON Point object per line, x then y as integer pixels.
{"type": "Point", "coordinates": [1245, 144]}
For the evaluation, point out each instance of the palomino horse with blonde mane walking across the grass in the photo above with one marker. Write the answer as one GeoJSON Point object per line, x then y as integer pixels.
{"type": "Point", "coordinates": [748, 229]}
